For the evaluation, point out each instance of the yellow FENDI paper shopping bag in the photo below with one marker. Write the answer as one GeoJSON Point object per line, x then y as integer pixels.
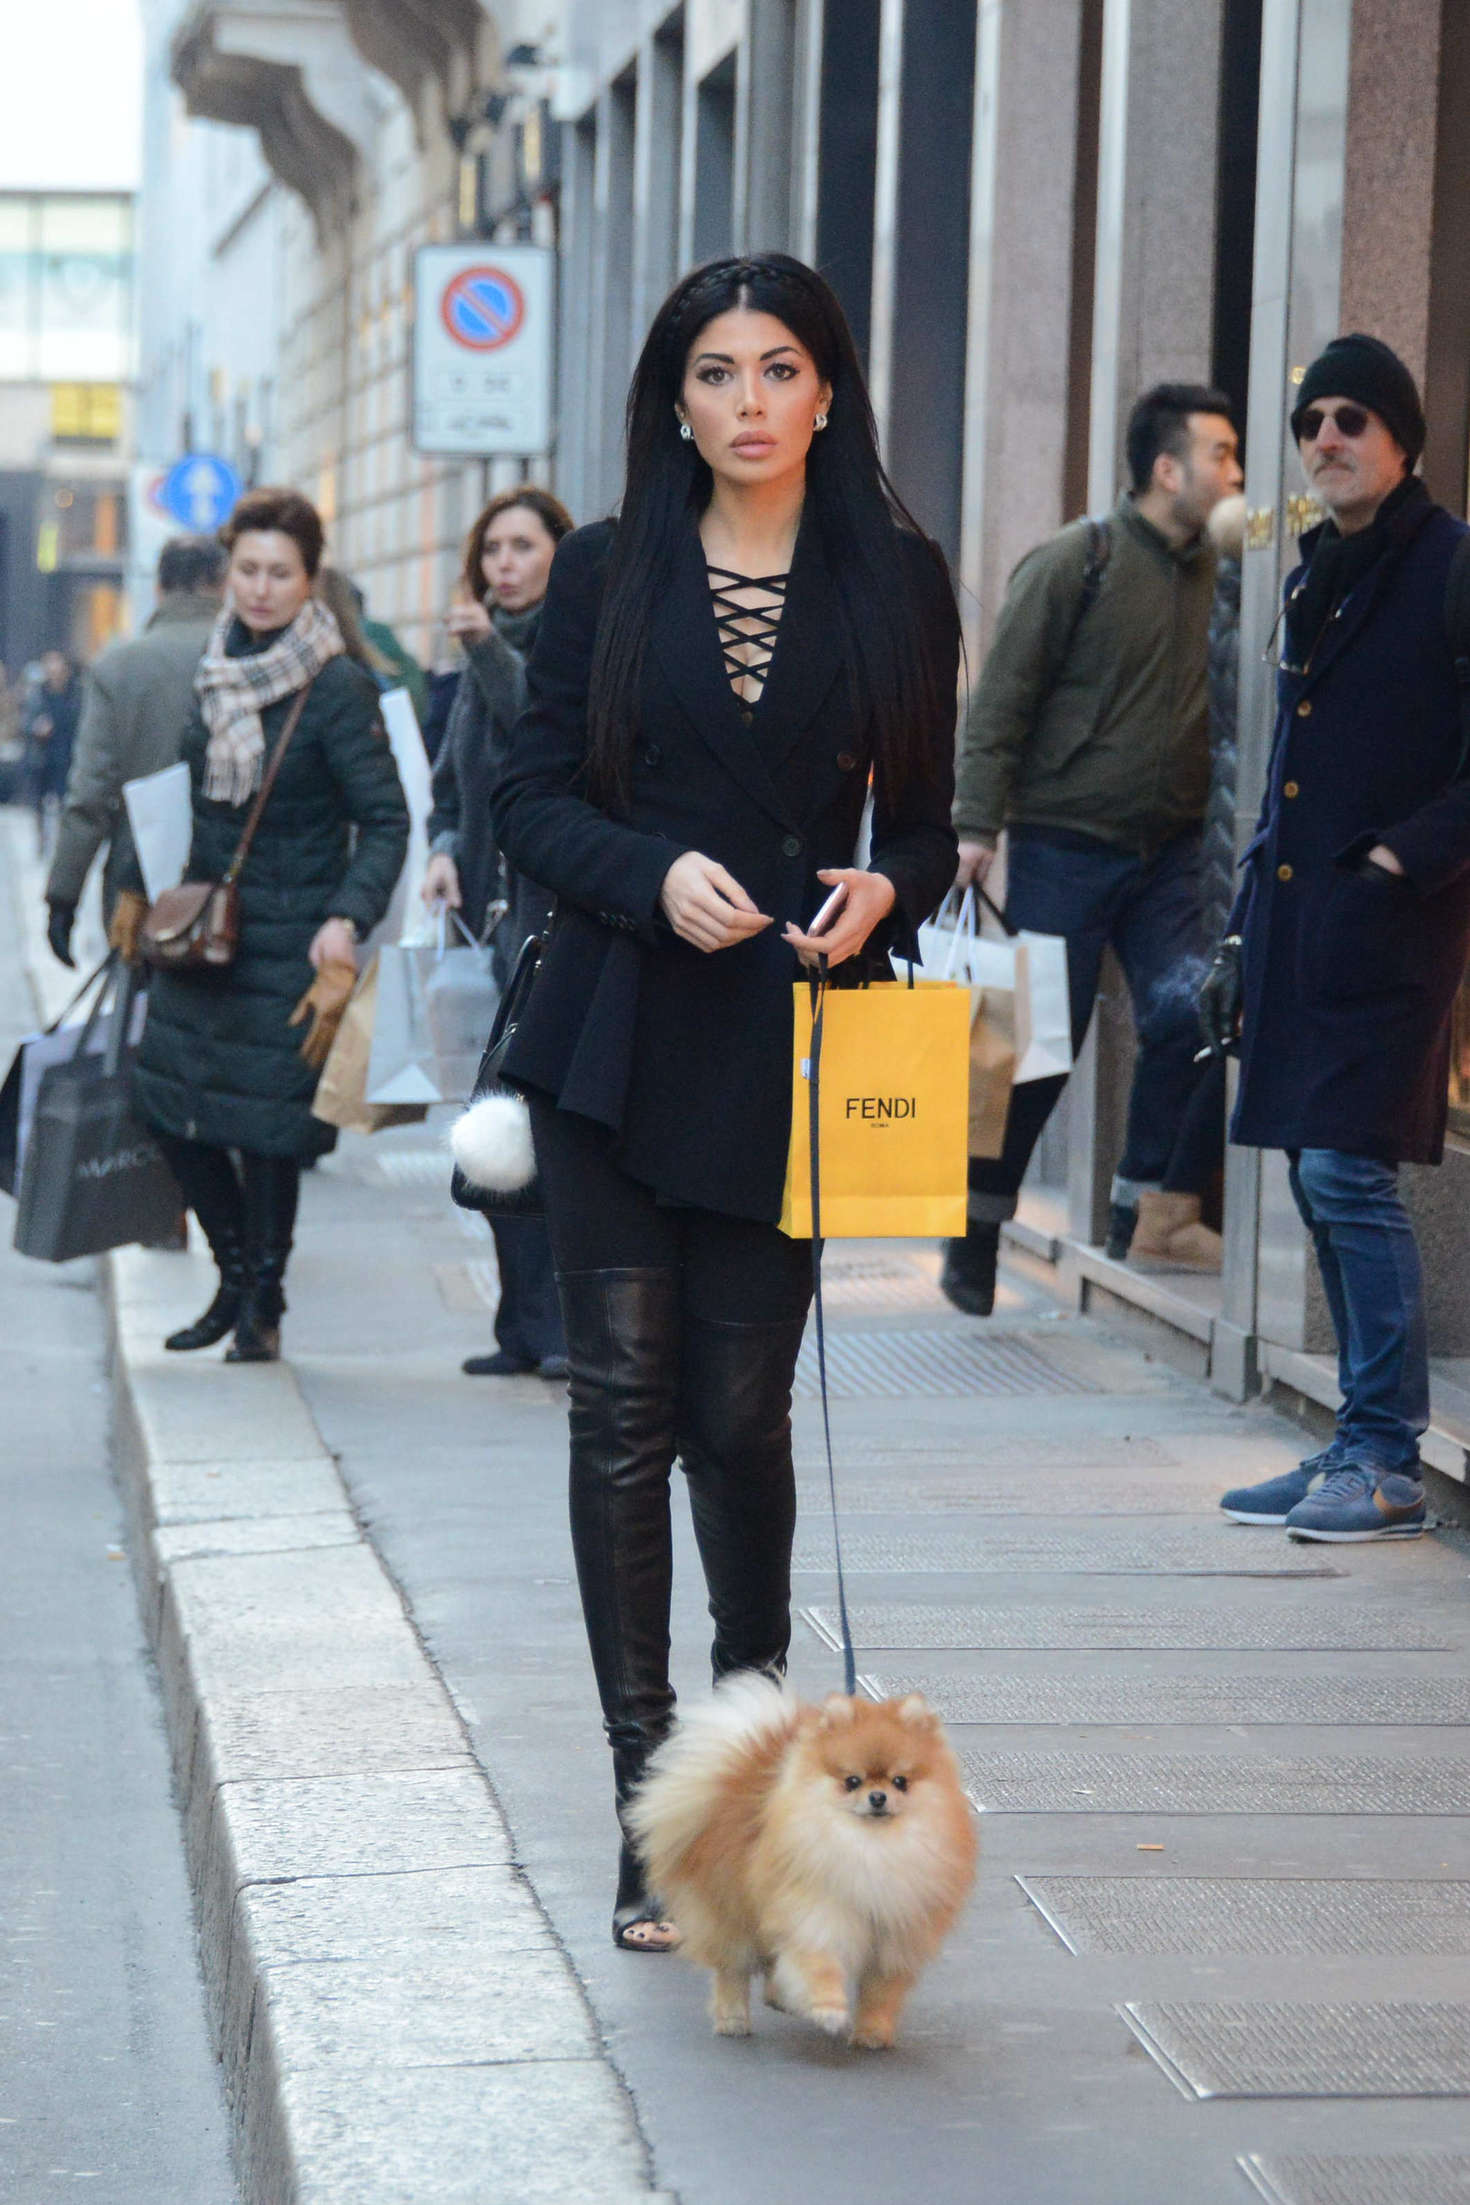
{"type": "Point", "coordinates": [894, 1112]}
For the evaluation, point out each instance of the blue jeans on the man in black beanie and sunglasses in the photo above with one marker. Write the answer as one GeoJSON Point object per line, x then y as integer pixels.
{"type": "Point", "coordinates": [1374, 1287]}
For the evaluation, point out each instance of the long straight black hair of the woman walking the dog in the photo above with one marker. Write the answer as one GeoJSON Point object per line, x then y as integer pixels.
{"type": "Point", "coordinates": [856, 510]}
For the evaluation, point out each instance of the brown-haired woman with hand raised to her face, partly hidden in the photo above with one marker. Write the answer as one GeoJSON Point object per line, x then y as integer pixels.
{"type": "Point", "coordinates": [497, 616]}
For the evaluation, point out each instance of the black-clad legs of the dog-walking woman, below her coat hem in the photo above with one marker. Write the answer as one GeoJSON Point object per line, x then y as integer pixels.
{"type": "Point", "coordinates": [682, 1335]}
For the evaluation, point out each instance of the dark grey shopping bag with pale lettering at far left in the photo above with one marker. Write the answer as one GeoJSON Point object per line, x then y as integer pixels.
{"type": "Point", "coordinates": [94, 1179]}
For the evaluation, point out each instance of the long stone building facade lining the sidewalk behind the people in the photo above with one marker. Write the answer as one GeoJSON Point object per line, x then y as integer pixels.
{"type": "Point", "coordinates": [1030, 208]}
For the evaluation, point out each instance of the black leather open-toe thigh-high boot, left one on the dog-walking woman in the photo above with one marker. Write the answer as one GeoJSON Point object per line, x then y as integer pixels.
{"type": "Point", "coordinates": [623, 1366]}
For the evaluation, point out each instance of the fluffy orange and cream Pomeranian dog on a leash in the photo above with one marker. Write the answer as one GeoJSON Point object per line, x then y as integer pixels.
{"type": "Point", "coordinates": [828, 1849]}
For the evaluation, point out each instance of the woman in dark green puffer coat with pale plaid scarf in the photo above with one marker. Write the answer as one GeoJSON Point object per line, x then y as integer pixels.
{"type": "Point", "coordinates": [224, 1064]}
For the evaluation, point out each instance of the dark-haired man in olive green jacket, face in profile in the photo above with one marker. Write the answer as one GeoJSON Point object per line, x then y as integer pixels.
{"type": "Point", "coordinates": [1088, 742]}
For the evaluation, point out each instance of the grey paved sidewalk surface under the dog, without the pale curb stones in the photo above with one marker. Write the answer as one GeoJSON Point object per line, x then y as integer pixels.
{"type": "Point", "coordinates": [1224, 1904]}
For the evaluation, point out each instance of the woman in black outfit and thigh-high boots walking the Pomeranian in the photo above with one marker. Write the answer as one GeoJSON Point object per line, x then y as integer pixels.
{"type": "Point", "coordinates": [717, 678]}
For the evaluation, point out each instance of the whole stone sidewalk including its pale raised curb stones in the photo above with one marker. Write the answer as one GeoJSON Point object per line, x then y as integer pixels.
{"type": "Point", "coordinates": [1220, 1939]}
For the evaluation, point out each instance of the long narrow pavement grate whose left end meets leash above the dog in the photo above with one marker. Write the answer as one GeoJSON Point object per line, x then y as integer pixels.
{"type": "Point", "coordinates": [1293, 1628]}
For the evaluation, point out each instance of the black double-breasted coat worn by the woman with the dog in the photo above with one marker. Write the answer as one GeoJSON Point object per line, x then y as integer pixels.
{"type": "Point", "coordinates": [687, 1055]}
